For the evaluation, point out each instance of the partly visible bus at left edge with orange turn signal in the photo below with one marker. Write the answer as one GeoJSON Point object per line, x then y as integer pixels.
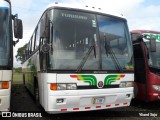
{"type": "Point", "coordinates": [6, 51]}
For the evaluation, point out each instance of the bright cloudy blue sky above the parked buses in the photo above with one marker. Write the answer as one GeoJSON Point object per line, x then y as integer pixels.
{"type": "Point", "coordinates": [140, 14]}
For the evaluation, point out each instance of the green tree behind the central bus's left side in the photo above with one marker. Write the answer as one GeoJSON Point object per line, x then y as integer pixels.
{"type": "Point", "coordinates": [20, 53]}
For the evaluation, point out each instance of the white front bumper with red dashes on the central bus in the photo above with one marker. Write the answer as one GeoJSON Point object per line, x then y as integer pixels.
{"type": "Point", "coordinates": [87, 100]}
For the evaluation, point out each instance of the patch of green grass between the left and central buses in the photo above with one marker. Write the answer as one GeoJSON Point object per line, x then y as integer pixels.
{"type": "Point", "coordinates": [17, 78]}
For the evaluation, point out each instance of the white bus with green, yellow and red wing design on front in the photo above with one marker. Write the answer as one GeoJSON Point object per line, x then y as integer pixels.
{"type": "Point", "coordinates": [79, 59]}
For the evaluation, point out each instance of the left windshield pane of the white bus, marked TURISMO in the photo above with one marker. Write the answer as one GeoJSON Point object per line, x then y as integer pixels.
{"type": "Point", "coordinates": [74, 33]}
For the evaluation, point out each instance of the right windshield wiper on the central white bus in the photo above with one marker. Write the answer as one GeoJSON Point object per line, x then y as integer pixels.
{"type": "Point", "coordinates": [109, 50]}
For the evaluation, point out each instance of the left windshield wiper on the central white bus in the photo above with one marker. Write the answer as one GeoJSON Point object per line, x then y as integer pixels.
{"type": "Point", "coordinates": [79, 68]}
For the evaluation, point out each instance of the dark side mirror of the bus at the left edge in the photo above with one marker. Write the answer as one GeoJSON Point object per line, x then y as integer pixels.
{"type": "Point", "coordinates": [18, 28]}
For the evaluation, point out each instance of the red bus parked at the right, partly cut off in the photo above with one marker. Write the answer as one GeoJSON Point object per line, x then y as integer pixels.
{"type": "Point", "coordinates": [146, 45]}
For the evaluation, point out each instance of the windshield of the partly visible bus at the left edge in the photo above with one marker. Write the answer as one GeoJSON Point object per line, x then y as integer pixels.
{"type": "Point", "coordinates": [4, 36]}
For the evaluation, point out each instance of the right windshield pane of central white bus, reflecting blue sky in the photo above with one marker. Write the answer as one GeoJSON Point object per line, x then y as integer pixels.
{"type": "Point", "coordinates": [115, 44]}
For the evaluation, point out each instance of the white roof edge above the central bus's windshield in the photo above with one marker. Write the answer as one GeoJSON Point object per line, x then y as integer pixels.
{"type": "Point", "coordinates": [86, 8]}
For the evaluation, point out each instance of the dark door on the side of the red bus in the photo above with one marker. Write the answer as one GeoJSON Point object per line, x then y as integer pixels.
{"type": "Point", "coordinates": [140, 69]}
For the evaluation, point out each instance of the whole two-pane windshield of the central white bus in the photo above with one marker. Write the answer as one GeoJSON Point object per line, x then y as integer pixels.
{"type": "Point", "coordinates": [80, 36]}
